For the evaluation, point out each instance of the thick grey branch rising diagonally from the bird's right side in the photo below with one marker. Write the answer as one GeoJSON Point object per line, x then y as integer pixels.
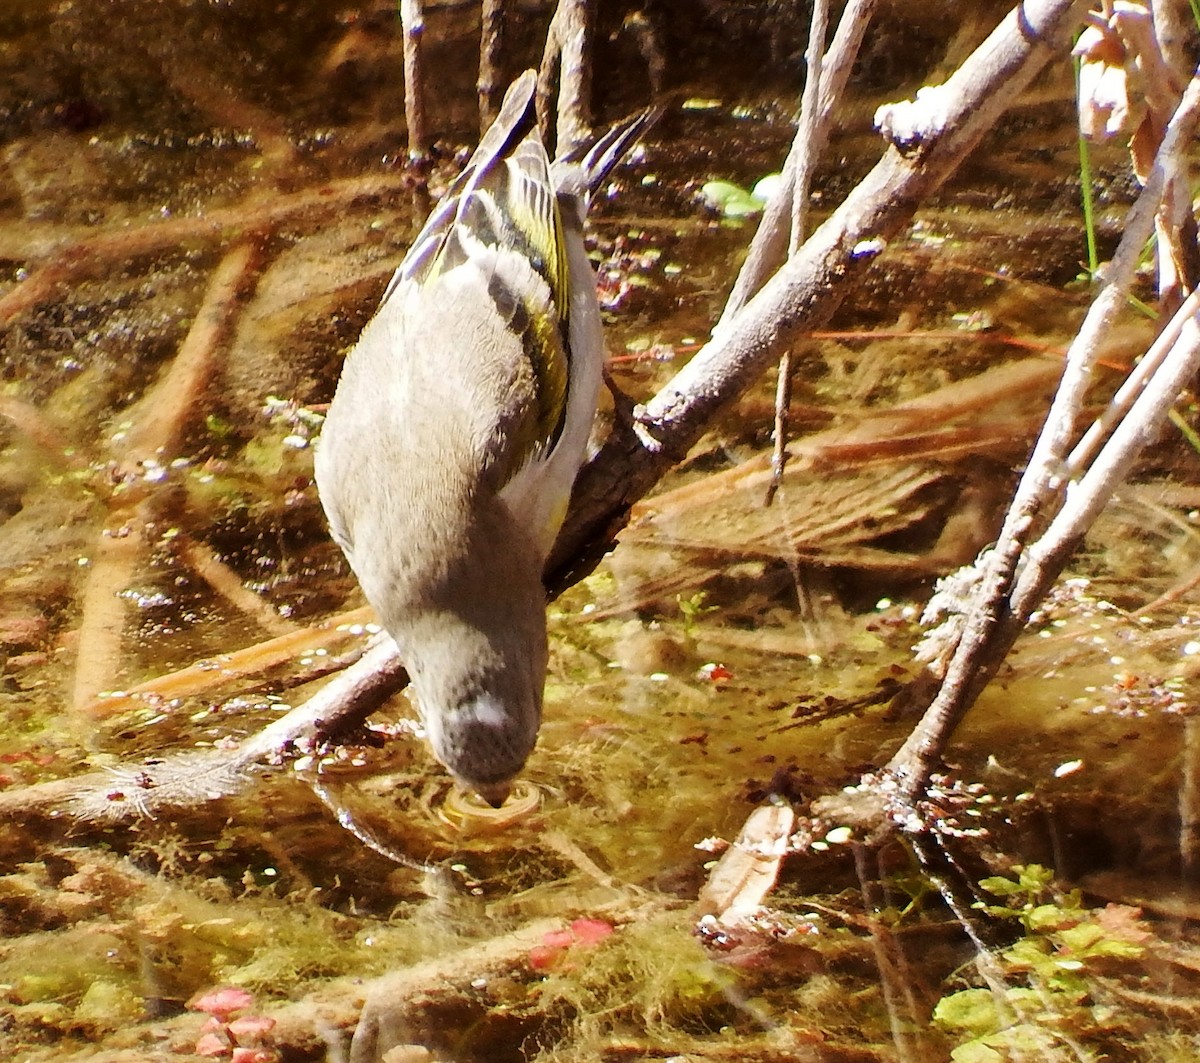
{"type": "Point", "coordinates": [939, 131]}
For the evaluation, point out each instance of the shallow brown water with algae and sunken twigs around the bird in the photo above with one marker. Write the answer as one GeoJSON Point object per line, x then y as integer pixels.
{"type": "Point", "coordinates": [724, 656]}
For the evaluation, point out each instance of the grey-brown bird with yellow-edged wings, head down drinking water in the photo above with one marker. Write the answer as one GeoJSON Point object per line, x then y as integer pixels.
{"type": "Point", "coordinates": [461, 418]}
